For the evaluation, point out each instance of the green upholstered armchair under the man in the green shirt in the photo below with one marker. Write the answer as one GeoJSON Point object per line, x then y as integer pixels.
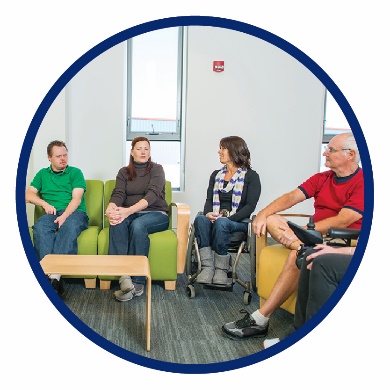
{"type": "Point", "coordinates": [88, 239]}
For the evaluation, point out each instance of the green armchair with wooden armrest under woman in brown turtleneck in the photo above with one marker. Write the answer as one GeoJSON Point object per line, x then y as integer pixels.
{"type": "Point", "coordinates": [167, 250]}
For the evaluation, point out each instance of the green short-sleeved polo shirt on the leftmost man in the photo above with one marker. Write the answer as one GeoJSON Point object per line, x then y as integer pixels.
{"type": "Point", "coordinates": [56, 188]}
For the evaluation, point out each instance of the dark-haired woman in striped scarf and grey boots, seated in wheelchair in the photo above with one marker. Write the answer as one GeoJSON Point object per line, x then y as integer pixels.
{"type": "Point", "coordinates": [232, 196]}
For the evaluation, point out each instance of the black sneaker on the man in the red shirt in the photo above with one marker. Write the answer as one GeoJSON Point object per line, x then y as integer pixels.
{"type": "Point", "coordinates": [244, 328]}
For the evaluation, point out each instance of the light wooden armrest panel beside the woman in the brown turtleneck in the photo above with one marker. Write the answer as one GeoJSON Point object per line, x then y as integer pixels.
{"type": "Point", "coordinates": [182, 228]}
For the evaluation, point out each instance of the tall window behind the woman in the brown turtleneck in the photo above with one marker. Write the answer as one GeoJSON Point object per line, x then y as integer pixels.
{"type": "Point", "coordinates": [155, 91]}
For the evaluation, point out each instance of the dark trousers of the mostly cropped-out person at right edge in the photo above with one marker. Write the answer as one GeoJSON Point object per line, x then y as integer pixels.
{"type": "Point", "coordinates": [315, 286]}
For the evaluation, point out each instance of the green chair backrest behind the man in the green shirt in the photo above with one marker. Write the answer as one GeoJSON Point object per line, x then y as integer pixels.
{"type": "Point", "coordinates": [93, 201]}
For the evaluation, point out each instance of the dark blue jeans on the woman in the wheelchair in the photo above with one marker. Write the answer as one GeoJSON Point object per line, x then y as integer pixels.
{"type": "Point", "coordinates": [217, 234]}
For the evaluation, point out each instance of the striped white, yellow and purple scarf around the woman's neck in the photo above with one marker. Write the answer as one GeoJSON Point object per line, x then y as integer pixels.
{"type": "Point", "coordinates": [236, 184]}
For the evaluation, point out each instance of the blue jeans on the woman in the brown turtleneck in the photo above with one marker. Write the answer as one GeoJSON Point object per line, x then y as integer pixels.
{"type": "Point", "coordinates": [130, 237]}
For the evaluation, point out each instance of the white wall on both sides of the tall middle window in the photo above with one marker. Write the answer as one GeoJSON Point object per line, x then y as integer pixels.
{"type": "Point", "coordinates": [264, 95]}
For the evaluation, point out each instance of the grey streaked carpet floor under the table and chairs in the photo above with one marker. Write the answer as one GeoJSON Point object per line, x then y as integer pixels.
{"type": "Point", "coordinates": [183, 330]}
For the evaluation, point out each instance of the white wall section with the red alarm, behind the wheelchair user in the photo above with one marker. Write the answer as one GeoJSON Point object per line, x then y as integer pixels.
{"type": "Point", "coordinates": [265, 96]}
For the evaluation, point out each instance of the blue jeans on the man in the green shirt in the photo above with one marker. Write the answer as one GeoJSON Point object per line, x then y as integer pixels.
{"type": "Point", "coordinates": [48, 239]}
